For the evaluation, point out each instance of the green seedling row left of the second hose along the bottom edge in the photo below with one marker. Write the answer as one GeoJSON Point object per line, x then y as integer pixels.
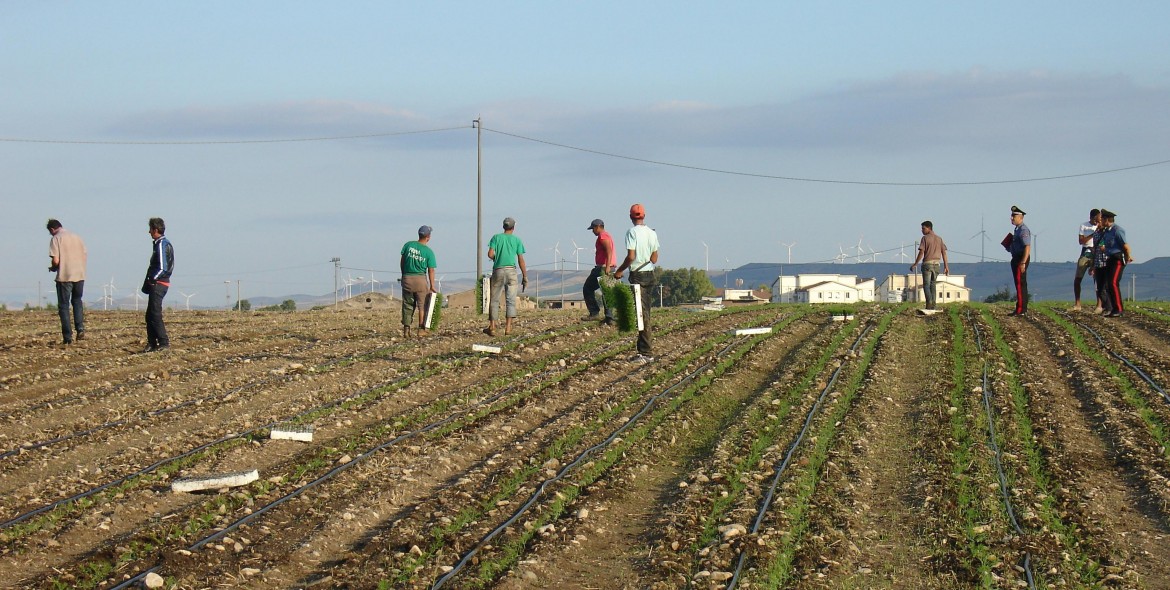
{"type": "Point", "coordinates": [443, 537]}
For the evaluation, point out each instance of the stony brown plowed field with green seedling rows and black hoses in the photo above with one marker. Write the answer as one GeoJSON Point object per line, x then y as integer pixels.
{"type": "Point", "coordinates": [773, 447]}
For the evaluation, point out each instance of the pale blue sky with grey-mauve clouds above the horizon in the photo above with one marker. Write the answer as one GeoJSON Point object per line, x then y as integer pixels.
{"type": "Point", "coordinates": [277, 136]}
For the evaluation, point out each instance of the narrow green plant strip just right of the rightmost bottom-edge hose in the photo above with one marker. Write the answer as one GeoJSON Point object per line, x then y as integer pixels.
{"type": "Point", "coordinates": [1084, 566]}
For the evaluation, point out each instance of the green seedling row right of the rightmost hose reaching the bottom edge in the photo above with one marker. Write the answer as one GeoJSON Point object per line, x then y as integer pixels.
{"type": "Point", "coordinates": [1048, 527]}
